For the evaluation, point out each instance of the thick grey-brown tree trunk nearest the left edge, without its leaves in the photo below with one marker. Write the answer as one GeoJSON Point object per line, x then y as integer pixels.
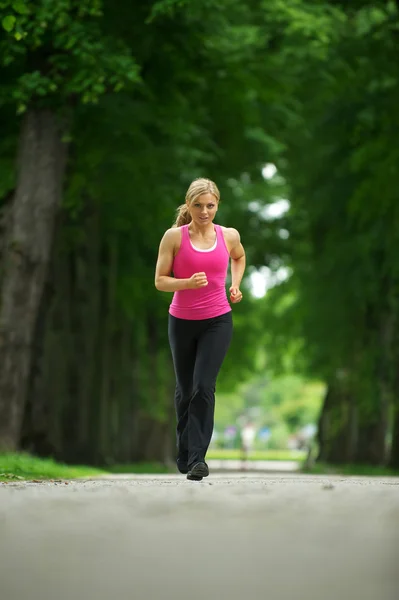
{"type": "Point", "coordinates": [27, 251]}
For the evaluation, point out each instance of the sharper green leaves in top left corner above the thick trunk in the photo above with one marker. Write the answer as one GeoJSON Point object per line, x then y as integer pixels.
{"type": "Point", "coordinates": [58, 51]}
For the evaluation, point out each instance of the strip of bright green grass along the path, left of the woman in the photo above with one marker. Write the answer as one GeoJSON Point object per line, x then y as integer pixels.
{"type": "Point", "coordinates": [20, 466]}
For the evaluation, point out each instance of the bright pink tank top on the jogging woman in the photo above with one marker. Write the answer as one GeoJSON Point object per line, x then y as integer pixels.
{"type": "Point", "coordinates": [209, 301]}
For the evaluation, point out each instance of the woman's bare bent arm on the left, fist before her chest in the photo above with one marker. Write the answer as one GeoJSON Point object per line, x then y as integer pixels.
{"type": "Point", "coordinates": [163, 280]}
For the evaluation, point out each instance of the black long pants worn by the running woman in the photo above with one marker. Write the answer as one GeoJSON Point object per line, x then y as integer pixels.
{"type": "Point", "coordinates": [198, 350]}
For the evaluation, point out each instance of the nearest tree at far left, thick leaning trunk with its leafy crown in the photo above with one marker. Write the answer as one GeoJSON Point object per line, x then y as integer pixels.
{"type": "Point", "coordinates": [54, 54]}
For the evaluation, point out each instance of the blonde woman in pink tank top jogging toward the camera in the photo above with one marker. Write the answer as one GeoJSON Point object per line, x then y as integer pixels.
{"type": "Point", "coordinates": [197, 252]}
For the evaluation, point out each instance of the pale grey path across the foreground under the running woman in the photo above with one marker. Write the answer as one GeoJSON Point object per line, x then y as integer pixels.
{"type": "Point", "coordinates": [238, 537]}
